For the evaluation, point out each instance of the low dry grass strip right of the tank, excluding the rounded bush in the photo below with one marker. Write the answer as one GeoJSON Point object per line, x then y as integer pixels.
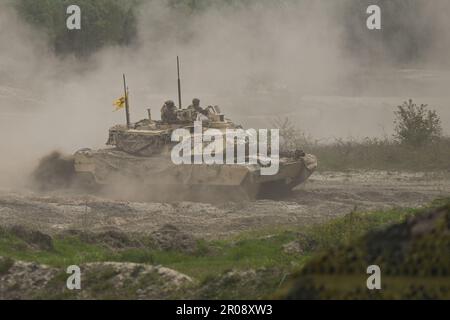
{"type": "Point", "coordinates": [368, 153]}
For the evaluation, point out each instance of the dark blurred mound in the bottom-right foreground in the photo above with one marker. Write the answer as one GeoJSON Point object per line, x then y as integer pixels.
{"type": "Point", "coordinates": [414, 260]}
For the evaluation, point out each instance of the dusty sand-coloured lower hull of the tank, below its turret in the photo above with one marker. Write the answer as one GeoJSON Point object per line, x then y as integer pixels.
{"type": "Point", "coordinates": [158, 178]}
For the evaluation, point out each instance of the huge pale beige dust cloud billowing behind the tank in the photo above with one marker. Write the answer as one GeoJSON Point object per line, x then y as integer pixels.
{"type": "Point", "coordinates": [257, 61]}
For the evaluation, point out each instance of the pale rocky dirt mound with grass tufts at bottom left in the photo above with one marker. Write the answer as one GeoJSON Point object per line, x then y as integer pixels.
{"type": "Point", "coordinates": [100, 280]}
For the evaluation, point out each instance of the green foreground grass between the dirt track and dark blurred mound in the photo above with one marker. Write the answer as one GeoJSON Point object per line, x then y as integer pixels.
{"type": "Point", "coordinates": [251, 265]}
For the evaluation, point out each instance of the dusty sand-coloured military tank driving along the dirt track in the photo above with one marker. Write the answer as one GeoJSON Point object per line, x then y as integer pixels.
{"type": "Point", "coordinates": [138, 163]}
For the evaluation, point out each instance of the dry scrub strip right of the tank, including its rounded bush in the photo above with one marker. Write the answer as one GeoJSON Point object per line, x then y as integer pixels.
{"type": "Point", "coordinates": [418, 145]}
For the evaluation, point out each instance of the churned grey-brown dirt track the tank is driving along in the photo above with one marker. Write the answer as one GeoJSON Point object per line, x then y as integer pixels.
{"type": "Point", "coordinates": [324, 196]}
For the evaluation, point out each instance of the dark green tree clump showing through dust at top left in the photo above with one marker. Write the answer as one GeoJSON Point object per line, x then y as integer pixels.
{"type": "Point", "coordinates": [104, 22]}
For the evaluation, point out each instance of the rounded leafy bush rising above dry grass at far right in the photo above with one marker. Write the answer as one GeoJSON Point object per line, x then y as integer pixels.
{"type": "Point", "coordinates": [416, 125]}
